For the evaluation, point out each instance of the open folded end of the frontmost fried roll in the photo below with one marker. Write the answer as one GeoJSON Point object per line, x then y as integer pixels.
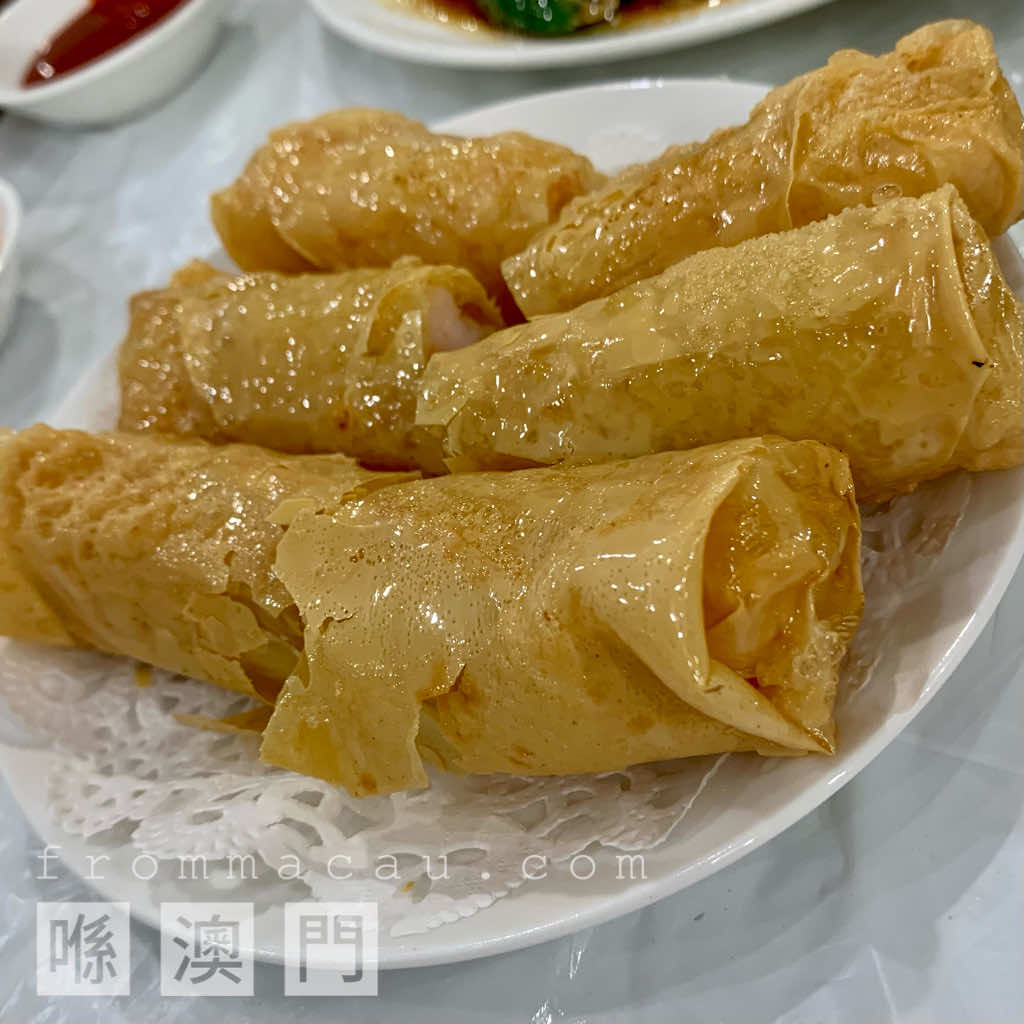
{"type": "Point", "coordinates": [781, 581]}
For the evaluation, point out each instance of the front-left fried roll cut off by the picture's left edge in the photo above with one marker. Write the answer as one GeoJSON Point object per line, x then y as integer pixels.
{"type": "Point", "coordinates": [159, 549]}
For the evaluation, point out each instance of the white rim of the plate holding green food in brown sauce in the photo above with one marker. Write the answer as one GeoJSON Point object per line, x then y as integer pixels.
{"type": "Point", "coordinates": [689, 29]}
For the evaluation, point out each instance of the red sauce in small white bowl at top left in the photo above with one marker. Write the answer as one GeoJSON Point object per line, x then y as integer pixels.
{"type": "Point", "coordinates": [103, 27]}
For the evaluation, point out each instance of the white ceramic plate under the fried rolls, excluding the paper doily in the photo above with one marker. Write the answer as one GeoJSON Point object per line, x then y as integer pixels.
{"type": "Point", "coordinates": [750, 801]}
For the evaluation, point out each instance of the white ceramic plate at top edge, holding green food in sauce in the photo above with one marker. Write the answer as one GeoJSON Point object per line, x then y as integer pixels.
{"type": "Point", "coordinates": [382, 26]}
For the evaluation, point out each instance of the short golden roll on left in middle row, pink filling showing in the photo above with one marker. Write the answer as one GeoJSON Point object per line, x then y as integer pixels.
{"type": "Point", "coordinates": [314, 363]}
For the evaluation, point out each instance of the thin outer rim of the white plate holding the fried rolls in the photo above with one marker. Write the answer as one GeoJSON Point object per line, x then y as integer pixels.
{"type": "Point", "coordinates": [638, 895]}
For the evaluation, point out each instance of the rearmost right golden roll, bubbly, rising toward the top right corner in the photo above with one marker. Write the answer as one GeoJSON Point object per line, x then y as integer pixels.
{"type": "Point", "coordinates": [936, 110]}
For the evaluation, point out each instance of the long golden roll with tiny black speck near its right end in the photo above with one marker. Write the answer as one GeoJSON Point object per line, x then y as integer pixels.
{"type": "Point", "coordinates": [888, 332]}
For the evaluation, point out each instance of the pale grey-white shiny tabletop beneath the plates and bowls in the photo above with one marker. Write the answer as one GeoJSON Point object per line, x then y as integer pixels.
{"type": "Point", "coordinates": [903, 899]}
